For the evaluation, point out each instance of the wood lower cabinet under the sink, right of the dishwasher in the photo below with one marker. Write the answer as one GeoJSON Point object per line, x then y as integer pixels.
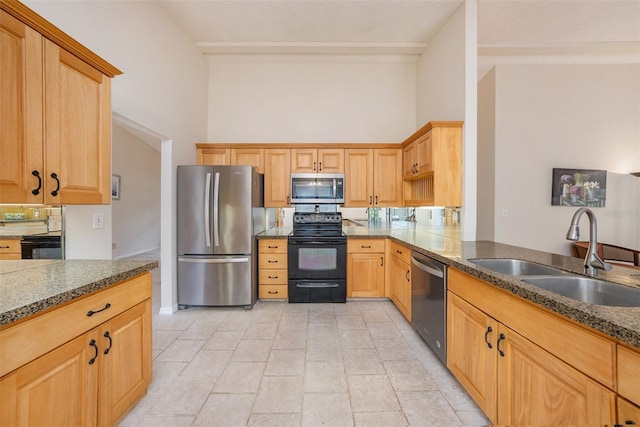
{"type": "Point", "coordinates": [513, 360]}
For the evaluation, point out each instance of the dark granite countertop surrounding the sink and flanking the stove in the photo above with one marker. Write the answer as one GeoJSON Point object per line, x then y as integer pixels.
{"type": "Point", "coordinates": [444, 245]}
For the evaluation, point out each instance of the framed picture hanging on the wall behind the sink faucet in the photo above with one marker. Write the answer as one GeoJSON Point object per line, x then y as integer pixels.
{"type": "Point", "coordinates": [579, 187]}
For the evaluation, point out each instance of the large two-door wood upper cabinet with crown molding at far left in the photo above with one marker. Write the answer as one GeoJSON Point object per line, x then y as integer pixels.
{"type": "Point", "coordinates": [56, 118]}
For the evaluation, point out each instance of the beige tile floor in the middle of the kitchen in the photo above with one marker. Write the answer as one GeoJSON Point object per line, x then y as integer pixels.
{"type": "Point", "coordinates": [281, 364]}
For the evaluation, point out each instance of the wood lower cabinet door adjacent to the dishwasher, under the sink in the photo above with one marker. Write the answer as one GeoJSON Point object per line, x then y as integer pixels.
{"type": "Point", "coordinates": [471, 353]}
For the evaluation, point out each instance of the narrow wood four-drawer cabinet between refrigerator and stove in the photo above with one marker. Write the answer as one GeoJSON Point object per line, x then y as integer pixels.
{"type": "Point", "coordinates": [273, 272]}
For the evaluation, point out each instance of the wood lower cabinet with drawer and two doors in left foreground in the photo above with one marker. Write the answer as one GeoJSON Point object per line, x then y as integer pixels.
{"type": "Point", "coordinates": [92, 379]}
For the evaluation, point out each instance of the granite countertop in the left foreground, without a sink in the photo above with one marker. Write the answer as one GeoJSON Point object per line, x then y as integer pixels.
{"type": "Point", "coordinates": [31, 286]}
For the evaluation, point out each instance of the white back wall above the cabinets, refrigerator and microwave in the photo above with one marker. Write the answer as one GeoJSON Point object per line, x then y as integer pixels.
{"type": "Point", "coordinates": [311, 98]}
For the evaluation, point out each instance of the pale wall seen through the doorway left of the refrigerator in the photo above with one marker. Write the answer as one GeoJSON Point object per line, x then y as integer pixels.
{"type": "Point", "coordinates": [136, 215]}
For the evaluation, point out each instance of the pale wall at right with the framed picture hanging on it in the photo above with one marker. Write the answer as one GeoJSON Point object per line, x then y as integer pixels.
{"type": "Point", "coordinates": [571, 116]}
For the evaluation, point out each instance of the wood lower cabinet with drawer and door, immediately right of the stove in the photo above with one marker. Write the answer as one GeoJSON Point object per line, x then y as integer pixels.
{"type": "Point", "coordinates": [365, 268]}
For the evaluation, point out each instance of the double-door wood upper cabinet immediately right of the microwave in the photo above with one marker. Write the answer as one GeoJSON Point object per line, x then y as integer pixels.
{"type": "Point", "coordinates": [373, 177]}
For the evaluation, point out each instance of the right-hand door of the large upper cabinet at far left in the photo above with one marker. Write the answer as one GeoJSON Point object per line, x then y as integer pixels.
{"type": "Point", "coordinates": [77, 130]}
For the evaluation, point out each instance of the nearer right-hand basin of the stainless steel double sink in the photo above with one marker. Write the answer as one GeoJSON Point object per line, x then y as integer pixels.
{"type": "Point", "coordinates": [592, 291]}
